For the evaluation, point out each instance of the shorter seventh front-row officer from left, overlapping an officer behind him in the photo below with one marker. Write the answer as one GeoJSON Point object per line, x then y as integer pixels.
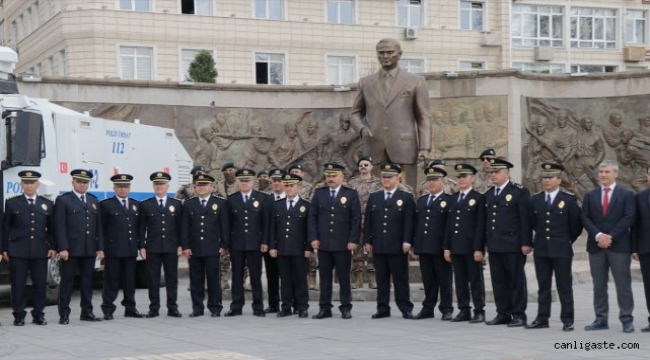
{"type": "Point", "coordinates": [289, 244]}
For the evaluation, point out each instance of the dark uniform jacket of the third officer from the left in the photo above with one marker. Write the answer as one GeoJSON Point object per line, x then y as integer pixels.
{"type": "Point", "coordinates": [121, 234]}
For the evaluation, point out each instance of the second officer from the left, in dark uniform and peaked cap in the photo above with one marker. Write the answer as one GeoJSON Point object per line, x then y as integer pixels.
{"type": "Point", "coordinates": [80, 241]}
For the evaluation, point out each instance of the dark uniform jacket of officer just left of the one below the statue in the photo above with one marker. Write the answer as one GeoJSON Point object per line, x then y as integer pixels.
{"type": "Point", "coordinates": [335, 223]}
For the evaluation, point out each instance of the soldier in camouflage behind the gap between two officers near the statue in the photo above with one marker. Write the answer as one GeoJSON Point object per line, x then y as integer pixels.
{"type": "Point", "coordinates": [365, 184]}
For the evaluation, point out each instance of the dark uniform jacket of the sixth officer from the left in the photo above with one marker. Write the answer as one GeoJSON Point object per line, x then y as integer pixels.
{"type": "Point", "coordinates": [249, 221]}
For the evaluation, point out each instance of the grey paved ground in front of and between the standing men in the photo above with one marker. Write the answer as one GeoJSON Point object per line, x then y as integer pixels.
{"type": "Point", "coordinates": [248, 337]}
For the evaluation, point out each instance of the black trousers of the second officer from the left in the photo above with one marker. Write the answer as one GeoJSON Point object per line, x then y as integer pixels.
{"type": "Point", "coordinates": [85, 265]}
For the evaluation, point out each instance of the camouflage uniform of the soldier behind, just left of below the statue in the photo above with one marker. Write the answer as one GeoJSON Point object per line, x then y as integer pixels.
{"type": "Point", "coordinates": [364, 188]}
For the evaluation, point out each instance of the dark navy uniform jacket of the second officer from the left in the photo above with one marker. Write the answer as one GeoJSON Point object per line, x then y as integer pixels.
{"type": "Point", "coordinates": [77, 227]}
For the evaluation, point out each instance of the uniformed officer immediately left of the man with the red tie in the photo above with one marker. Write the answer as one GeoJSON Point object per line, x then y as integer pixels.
{"type": "Point", "coordinates": [555, 217]}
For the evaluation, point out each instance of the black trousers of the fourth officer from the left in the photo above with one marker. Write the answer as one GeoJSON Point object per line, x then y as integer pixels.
{"type": "Point", "coordinates": [169, 262]}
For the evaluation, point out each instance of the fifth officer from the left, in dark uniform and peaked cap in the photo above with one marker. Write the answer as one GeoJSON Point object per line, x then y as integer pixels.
{"type": "Point", "coordinates": [205, 235]}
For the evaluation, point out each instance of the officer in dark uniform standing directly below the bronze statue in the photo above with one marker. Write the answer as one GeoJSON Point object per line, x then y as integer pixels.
{"type": "Point", "coordinates": [388, 232]}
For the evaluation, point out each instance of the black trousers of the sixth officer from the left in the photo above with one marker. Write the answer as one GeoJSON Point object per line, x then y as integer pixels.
{"type": "Point", "coordinates": [239, 259]}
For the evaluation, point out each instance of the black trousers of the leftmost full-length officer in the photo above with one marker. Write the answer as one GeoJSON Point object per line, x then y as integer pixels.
{"type": "Point", "coordinates": [37, 268]}
